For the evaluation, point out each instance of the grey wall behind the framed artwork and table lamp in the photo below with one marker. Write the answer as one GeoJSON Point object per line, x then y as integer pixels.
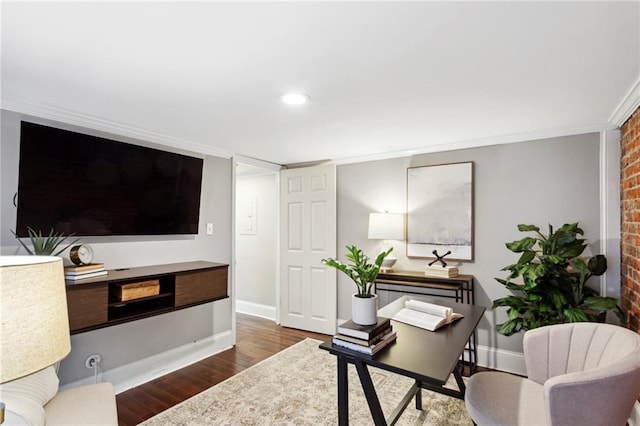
{"type": "Point", "coordinates": [538, 182]}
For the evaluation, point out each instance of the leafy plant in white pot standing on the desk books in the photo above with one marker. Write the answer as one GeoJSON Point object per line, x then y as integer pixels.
{"type": "Point", "coordinates": [364, 303]}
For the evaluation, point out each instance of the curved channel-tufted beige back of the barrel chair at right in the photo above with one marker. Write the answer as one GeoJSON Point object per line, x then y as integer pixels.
{"type": "Point", "coordinates": [590, 372]}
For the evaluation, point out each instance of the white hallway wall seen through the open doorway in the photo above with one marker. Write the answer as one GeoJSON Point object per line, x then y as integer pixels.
{"type": "Point", "coordinates": [256, 243]}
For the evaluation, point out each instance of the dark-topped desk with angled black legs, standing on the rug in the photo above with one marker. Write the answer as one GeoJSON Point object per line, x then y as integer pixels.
{"type": "Point", "coordinates": [428, 357]}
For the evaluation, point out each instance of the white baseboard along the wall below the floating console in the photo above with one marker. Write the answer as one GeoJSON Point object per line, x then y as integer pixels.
{"type": "Point", "coordinates": [136, 373]}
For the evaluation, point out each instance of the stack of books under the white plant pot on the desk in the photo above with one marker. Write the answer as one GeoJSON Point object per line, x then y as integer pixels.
{"type": "Point", "coordinates": [367, 339]}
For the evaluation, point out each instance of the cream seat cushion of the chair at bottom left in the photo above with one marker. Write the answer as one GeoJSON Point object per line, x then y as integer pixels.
{"type": "Point", "coordinates": [83, 405]}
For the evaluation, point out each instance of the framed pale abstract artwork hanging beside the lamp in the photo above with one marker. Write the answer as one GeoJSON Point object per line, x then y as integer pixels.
{"type": "Point", "coordinates": [440, 211]}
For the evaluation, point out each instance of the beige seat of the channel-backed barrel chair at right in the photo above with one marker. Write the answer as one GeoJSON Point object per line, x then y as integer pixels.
{"type": "Point", "coordinates": [495, 398]}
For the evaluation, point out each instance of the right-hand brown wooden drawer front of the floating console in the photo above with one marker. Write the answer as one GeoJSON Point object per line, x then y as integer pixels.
{"type": "Point", "coordinates": [201, 286]}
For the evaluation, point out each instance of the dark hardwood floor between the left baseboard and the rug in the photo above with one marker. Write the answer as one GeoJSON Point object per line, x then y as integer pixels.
{"type": "Point", "coordinates": [256, 339]}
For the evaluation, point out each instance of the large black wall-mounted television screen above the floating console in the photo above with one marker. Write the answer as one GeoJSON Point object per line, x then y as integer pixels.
{"type": "Point", "coordinates": [86, 185]}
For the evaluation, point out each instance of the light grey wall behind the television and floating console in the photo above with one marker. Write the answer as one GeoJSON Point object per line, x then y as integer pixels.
{"type": "Point", "coordinates": [128, 343]}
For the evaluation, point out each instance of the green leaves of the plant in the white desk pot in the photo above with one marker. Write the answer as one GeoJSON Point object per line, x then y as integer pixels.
{"type": "Point", "coordinates": [359, 269]}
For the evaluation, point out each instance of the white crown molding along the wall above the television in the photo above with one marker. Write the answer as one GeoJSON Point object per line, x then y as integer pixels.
{"type": "Point", "coordinates": [95, 123]}
